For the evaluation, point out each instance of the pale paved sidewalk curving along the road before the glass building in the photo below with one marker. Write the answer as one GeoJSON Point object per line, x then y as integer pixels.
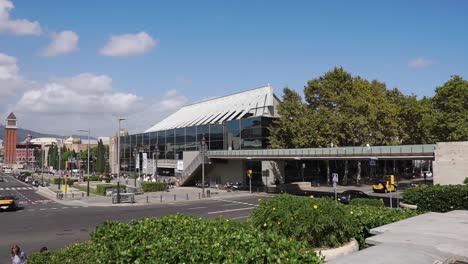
{"type": "Point", "coordinates": [175, 195]}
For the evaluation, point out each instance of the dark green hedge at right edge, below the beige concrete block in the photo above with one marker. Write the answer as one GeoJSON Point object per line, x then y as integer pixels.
{"type": "Point", "coordinates": [438, 198]}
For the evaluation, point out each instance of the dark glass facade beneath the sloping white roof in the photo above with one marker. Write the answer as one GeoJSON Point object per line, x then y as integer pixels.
{"type": "Point", "coordinates": [247, 133]}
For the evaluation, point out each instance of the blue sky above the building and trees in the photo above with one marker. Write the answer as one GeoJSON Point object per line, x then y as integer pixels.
{"type": "Point", "coordinates": [212, 48]}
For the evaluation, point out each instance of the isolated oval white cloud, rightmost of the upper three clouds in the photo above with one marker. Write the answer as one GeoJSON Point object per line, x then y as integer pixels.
{"type": "Point", "coordinates": [128, 45]}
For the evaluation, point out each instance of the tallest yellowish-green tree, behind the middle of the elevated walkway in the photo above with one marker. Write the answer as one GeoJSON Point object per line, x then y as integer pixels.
{"type": "Point", "coordinates": [352, 111]}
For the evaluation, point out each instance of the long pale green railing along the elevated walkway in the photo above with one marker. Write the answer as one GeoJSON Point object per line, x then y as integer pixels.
{"type": "Point", "coordinates": [403, 150]}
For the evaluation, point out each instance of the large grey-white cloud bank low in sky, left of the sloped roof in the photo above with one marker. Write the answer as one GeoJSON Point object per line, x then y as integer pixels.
{"type": "Point", "coordinates": [83, 94]}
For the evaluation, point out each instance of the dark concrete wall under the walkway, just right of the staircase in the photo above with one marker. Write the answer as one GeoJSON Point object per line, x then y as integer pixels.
{"type": "Point", "coordinates": [231, 171]}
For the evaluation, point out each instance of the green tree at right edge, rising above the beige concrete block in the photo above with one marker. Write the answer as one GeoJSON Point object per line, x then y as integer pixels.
{"type": "Point", "coordinates": [451, 110]}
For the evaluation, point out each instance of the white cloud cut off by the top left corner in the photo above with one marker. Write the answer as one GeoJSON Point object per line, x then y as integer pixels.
{"type": "Point", "coordinates": [16, 26]}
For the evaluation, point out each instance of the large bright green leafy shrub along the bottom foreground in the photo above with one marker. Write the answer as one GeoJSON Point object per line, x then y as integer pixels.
{"type": "Point", "coordinates": [187, 239]}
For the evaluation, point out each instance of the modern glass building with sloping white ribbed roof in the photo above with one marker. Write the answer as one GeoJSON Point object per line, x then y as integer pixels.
{"type": "Point", "coordinates": [233, 122]}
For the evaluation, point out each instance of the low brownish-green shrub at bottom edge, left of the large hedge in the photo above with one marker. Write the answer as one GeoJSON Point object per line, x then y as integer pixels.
{"type": "Point", "coordinates": [81, 253]}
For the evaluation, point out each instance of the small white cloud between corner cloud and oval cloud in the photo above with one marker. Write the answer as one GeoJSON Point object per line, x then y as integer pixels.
{"type": "Point", "coordinates": [62, 43]}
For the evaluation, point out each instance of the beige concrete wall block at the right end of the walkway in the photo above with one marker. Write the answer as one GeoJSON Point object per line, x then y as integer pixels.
{"type": "Point", "coordinates": [451, 162]}
